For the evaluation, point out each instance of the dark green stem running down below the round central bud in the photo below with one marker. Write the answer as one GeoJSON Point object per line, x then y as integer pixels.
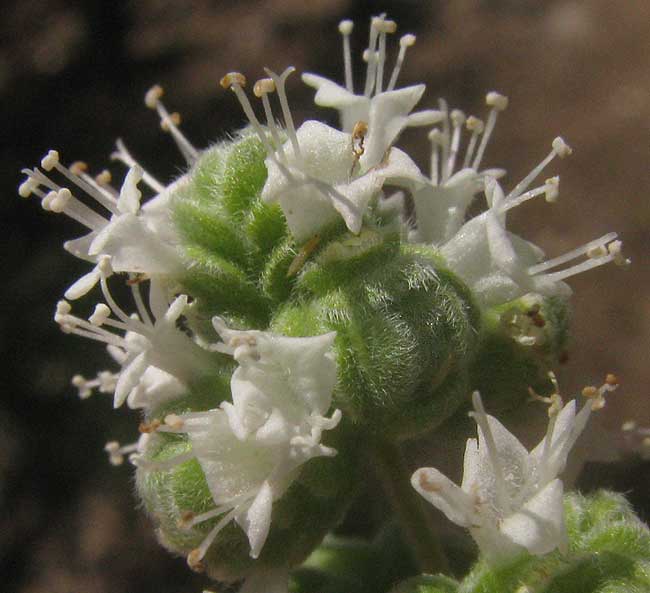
{"type": "Point", "coordinates": [409, 508]}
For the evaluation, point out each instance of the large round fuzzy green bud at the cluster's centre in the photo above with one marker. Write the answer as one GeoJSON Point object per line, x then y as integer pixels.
{"type": "Point", "coordinates": [405, 329]}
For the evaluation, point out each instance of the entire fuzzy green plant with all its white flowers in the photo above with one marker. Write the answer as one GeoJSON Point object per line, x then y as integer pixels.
{"type": "Point", "coordinates": [302, 301]}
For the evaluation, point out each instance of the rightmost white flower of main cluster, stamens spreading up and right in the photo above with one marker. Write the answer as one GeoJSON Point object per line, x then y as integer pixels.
{"type": "Point", "coordinates": [499, 266]}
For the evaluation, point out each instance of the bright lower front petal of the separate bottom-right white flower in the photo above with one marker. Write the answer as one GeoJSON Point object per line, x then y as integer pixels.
{"type": "Point", "coordinates": [539, 525]}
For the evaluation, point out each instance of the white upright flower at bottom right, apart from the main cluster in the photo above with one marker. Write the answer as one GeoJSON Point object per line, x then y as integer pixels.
{"type": "Point", "coordinates": [509, 499]}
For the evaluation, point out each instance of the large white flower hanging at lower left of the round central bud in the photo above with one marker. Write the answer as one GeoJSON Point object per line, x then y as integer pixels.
{"type": "Point", "coordinates": [250, 448]}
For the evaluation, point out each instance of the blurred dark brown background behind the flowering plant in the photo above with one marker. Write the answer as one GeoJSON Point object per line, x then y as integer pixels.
{"type": "Point", "coordinates": [72, 77]}
